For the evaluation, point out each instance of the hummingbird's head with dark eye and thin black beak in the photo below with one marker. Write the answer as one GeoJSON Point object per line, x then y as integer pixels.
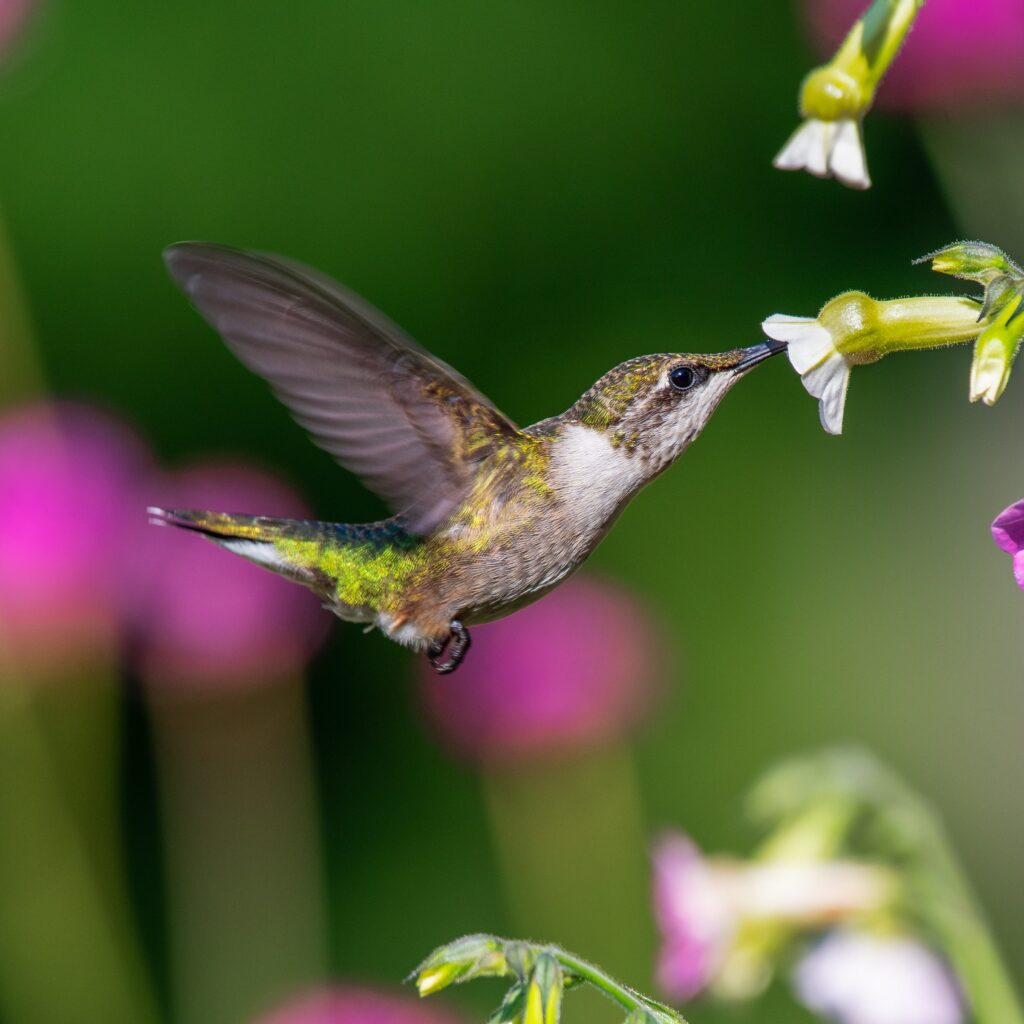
{"type": "Point", "coordinates": [655, 406]}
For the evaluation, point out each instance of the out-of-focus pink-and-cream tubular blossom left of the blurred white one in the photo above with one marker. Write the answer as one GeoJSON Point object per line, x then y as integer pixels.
{"type": "Point", "coordinates": [708, 909]}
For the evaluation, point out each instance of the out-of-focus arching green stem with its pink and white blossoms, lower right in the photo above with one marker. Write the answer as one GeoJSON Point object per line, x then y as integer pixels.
{"type": "Point", "coordinates": [836, 888]}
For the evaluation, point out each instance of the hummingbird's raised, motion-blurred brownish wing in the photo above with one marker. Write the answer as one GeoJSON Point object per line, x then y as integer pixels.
{"type": "Point", "coordinates": [411, 428]}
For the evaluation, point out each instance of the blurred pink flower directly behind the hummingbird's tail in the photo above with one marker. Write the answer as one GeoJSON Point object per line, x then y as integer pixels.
{"type": "Point", "coordinates": [204, 616]}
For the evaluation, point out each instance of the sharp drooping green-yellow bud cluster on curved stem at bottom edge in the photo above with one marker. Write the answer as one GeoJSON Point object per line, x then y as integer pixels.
{"type": "Point", "coordinates": [540, 974]}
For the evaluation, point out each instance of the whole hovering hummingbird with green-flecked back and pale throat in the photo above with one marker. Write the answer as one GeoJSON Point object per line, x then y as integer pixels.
{"type": "Point", "coordinates": [487, 517]}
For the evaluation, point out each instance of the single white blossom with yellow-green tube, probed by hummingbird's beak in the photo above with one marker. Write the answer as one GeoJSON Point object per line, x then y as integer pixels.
{"type": "Point", "coordinates": [854, 329]}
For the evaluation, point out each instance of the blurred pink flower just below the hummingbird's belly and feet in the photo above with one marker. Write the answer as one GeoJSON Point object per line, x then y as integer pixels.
{"type": "Point", "coordinates": [574, 670]}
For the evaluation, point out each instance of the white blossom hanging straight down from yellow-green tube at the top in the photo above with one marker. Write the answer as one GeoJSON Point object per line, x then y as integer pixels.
{"type": "Point", "coordinates": [835, 99]}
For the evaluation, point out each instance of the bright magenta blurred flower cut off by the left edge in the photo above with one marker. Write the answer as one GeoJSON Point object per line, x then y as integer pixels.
{"type": "Point", "coordinates": [69, 490]}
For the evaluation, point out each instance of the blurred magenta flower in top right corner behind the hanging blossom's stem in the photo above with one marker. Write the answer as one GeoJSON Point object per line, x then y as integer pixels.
{"type": "Point", "coordinates": [960, 54]}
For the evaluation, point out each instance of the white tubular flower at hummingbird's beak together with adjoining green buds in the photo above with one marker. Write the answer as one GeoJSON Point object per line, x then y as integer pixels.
{"type": "Point", "coordinates": [854, 329]}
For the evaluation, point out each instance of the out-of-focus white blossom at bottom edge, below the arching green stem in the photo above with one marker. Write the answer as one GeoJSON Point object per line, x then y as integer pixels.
{"type": "Point", "coordinates": [857, 977]}
